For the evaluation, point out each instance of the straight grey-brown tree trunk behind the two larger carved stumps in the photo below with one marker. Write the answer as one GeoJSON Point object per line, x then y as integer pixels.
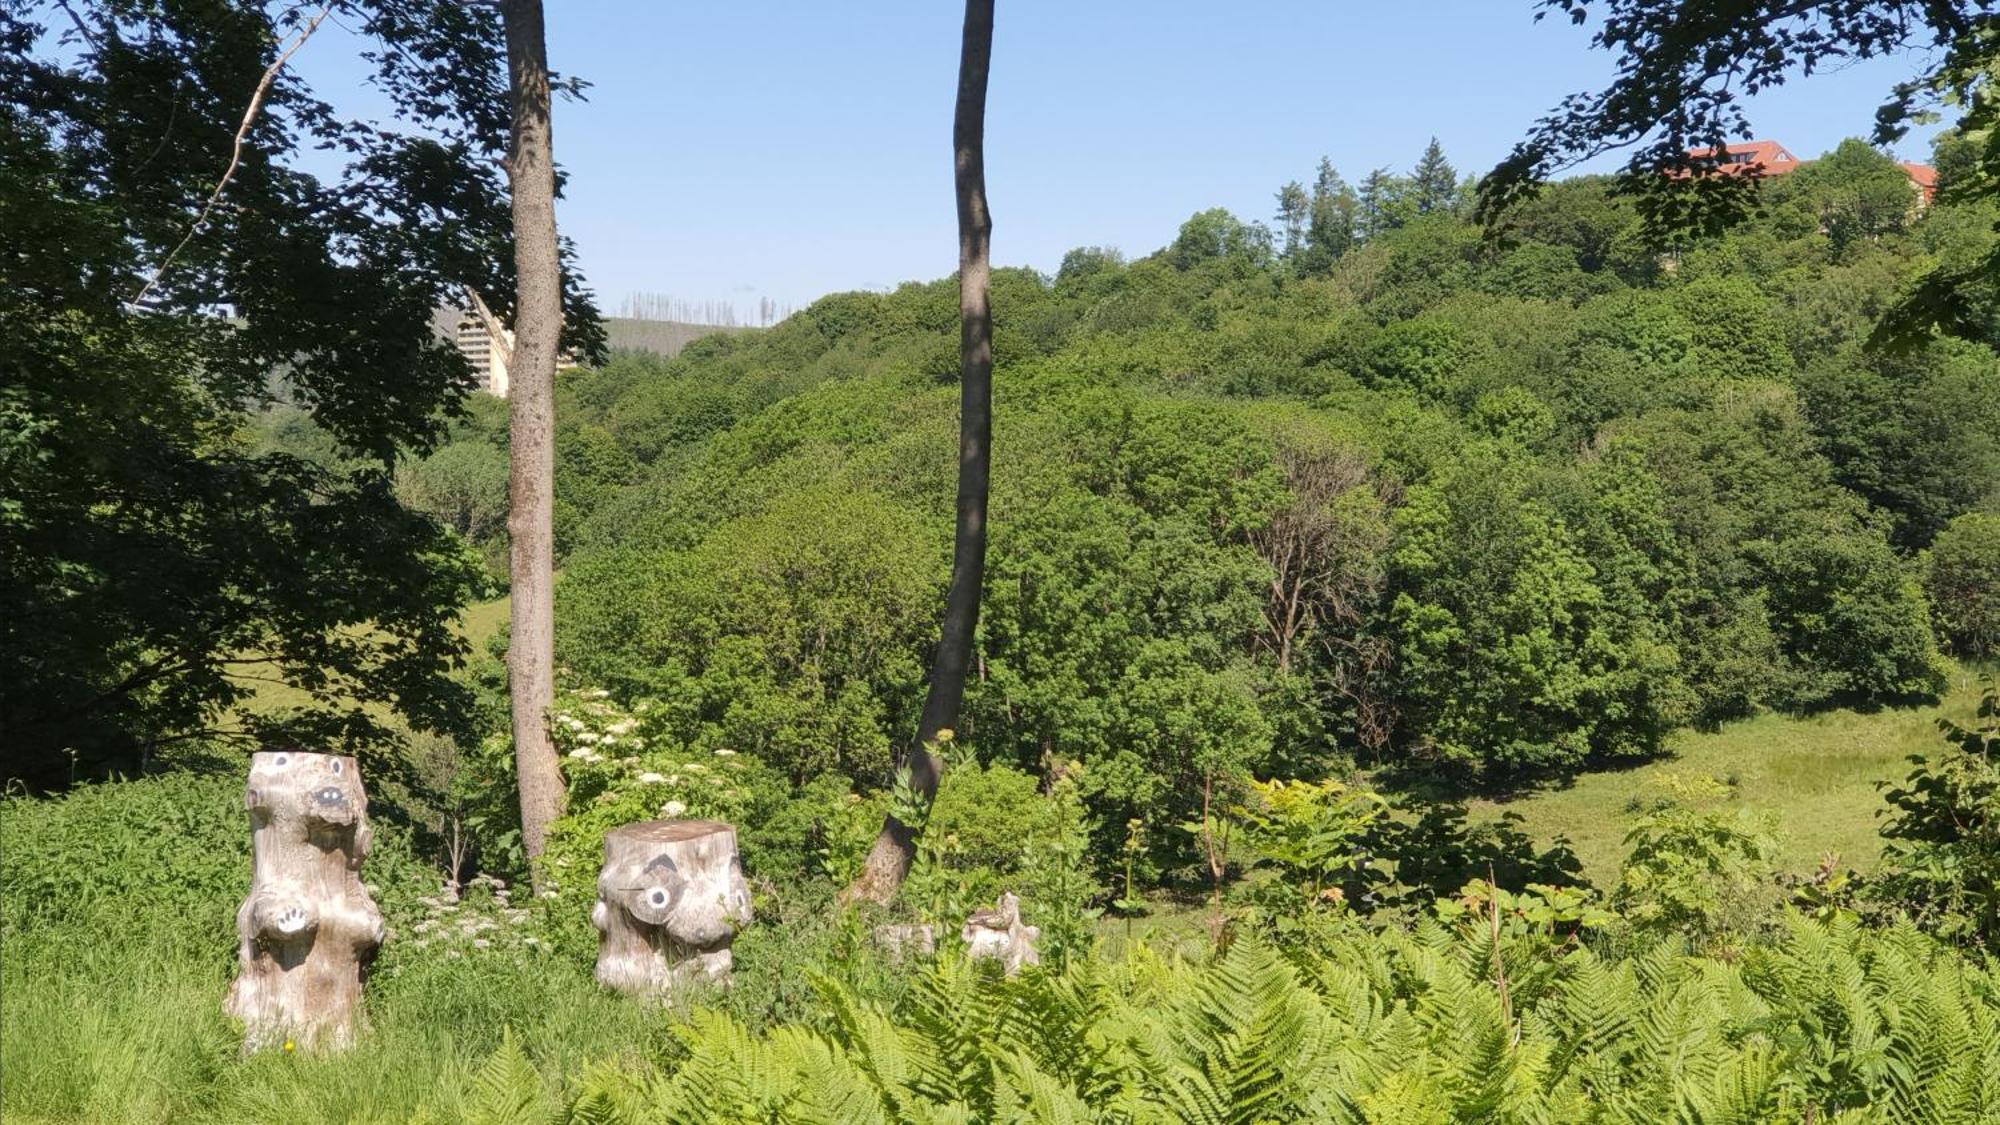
{"type": "Point", "coordinates": [533, 425]}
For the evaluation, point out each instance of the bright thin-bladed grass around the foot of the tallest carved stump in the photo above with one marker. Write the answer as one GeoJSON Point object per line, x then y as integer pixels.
{"type": "Point", "coordinates": [101, 1028]}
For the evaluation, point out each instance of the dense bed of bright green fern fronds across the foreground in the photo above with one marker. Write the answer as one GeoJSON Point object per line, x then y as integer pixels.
{"type": "Point", "coordinates": [1829, 1022]}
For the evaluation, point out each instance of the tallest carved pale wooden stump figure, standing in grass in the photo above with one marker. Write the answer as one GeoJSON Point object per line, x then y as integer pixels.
{"type": "Point", "coordinates": [309, 928]}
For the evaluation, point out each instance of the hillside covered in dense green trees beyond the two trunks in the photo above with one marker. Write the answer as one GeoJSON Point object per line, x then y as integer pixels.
{"type": "Point", "coordinates": [1365, 489]}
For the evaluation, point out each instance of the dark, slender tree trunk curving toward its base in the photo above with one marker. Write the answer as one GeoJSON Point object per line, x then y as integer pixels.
{"type": "Point", "coordinates": [895, 848]}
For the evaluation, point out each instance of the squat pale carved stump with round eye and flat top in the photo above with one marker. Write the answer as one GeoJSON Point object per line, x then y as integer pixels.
{"type": "Point", "coordinates": [671, 902]}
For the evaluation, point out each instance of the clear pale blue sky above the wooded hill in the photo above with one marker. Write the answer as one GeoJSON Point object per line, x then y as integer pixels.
{"type": "Point", "coordinates": [795, 149]}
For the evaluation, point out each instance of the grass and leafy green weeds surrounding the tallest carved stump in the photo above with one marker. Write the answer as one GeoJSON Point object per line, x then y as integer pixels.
{"type": "Point", "coordinates": [117, 948]}
